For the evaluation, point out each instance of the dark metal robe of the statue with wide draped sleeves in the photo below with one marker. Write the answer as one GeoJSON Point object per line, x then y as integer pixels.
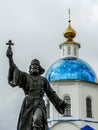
{"type": "Point", "coordinates": [34, 92]}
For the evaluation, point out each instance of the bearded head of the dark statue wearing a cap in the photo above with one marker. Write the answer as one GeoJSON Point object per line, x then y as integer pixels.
{"type": "Point", "coordinates": [35, 67]}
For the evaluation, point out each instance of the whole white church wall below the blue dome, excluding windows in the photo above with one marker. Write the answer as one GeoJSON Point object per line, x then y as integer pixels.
{"type": "Point", "coordinates": [78, 92]}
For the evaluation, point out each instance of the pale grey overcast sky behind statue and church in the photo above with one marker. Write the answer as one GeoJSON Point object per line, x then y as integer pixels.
{"type": "Point", "coordinates": [36, 28]}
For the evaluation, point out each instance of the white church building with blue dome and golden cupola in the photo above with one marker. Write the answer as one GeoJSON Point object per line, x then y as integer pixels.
{"type": "Point", "coordinates": [75, 82]}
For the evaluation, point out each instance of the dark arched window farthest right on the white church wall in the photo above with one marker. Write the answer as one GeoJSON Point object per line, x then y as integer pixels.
{"type": "Point", "coordinates": [88, 107]}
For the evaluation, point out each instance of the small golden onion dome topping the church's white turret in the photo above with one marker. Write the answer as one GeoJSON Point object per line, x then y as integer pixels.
{"type": "Point", "coordinates": [69, 33]}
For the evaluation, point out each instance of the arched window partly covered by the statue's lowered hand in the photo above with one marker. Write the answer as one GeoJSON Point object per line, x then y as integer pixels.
{"type": "Point", "coordinates": [67, 110]}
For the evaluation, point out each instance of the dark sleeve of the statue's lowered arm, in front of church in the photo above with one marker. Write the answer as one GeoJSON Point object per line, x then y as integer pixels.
{"type": "Point", "coordinates": [54, 98]}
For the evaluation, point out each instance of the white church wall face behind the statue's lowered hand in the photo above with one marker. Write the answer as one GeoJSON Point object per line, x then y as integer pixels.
{"type": "Point", "coordinates": [71, 89]}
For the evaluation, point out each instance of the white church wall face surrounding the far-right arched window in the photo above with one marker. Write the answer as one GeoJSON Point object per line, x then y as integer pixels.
{"type": "Point", "coordinates": [88, 90]}
